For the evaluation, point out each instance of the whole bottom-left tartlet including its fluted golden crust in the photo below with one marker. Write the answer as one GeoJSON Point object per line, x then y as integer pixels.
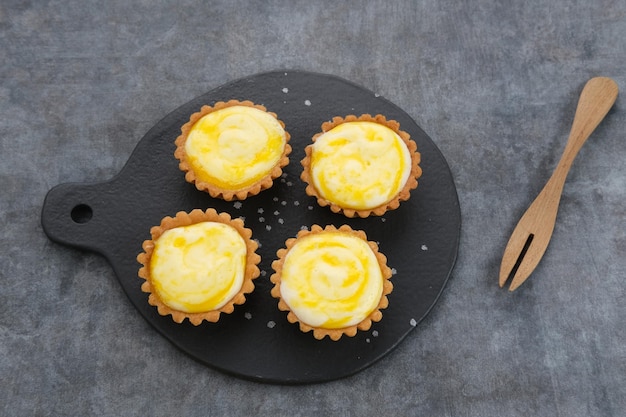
{"type": "Point", "coordinates": [198, 265]}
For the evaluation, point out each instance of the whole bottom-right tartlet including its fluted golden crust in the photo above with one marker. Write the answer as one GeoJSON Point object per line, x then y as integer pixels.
{"type": "Point", "coordinates": [331, 281]}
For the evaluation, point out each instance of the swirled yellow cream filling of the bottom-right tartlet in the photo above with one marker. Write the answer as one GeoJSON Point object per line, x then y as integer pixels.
{"type": "Point", "coordinates": [331, 280]}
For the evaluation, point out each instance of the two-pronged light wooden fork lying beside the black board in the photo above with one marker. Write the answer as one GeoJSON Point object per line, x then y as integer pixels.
{"type": "Point", "coordinates": [532, 234]}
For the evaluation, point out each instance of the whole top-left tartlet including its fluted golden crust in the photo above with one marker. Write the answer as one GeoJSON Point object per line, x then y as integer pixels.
{"type": "Point", "coordinates": [233, 149]}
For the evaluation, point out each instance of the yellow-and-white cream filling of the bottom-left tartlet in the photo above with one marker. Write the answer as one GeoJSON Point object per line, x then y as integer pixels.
{"type": "Point", "coordinates": [198, 268]}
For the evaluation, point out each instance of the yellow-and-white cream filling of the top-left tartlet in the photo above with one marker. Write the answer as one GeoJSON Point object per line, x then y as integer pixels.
{"type": "Point", "coordinates": [235, 147]}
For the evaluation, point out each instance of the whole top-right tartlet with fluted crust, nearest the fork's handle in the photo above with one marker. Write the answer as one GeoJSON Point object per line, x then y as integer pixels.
{"type": "Point", "coordinates": [361, 166]}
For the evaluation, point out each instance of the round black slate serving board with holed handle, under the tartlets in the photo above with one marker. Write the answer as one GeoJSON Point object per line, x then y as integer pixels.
{"type": "Point", "coordinates": [256, 342]}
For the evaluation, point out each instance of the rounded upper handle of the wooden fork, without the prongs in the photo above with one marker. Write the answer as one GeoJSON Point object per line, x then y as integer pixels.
{"type": "Point", "coordinates": [594, 103]}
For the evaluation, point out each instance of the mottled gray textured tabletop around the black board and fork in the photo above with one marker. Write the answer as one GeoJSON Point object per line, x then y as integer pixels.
{"type": "Point", "coordinates": [494, 84]}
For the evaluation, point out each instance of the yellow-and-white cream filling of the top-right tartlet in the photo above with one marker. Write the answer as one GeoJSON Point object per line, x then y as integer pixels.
{"type": "Point", "coordinates": [360, 165]}
